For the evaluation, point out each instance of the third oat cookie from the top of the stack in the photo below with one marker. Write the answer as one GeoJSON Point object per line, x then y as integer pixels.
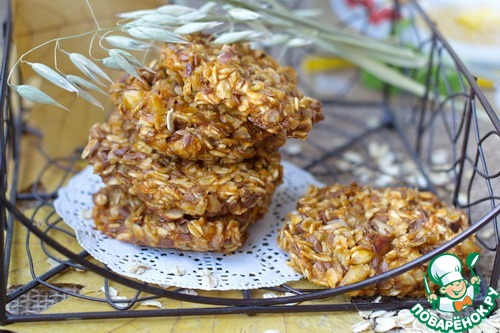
{"type": "Point", "coordinates": [169, 184]}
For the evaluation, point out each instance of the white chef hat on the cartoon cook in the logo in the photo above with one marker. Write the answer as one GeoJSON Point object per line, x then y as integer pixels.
{"type": "Point", "coordinates": [445, 269]}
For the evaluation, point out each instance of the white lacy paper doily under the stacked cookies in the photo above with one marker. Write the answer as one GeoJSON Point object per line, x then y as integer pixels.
{"type": "Point", "coordinates": [259, 263]}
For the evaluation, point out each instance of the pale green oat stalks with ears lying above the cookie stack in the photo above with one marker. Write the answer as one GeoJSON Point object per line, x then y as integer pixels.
{"type": "Point", "coordinates": [264, 22]}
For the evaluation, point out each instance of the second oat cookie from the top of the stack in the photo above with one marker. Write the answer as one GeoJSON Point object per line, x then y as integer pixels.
{"type": "Point", "coordinates": [174, 126]}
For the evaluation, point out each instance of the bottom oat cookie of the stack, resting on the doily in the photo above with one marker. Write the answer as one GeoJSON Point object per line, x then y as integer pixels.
{"type": "Point", "coordinates": [126, 218]}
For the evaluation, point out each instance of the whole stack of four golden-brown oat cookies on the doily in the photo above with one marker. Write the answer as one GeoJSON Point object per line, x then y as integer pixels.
{"type": "Point", "coordinates": [190, 155]}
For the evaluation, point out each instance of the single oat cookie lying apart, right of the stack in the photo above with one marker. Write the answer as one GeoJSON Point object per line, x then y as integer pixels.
{"type": "Point", "coordinates": [341, 235]}
